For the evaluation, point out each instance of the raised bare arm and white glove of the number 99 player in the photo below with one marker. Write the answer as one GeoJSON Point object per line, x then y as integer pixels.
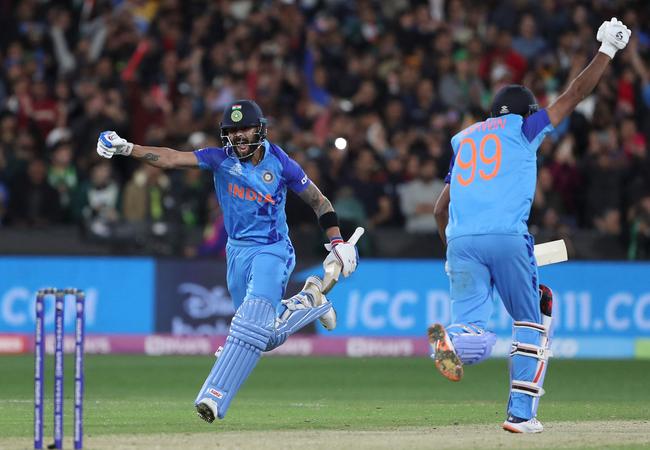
{"type": "Point", "coordinates": [614, 36]}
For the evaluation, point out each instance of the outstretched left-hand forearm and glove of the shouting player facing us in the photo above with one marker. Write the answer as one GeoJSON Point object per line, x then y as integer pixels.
{"type": "Point", "coordinates": [110, 143]}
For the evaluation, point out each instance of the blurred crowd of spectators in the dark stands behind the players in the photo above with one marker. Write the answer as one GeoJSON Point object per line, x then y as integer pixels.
{"type": "Point", "coordinates": [396, 79]}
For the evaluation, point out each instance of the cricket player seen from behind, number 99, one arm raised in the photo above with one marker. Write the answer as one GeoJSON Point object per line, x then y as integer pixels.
{"type": "Point", "coordinates": [483, 211]}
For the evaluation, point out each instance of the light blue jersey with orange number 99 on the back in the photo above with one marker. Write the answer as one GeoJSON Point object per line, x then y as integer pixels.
{"type": "Point", "coordinates": [493, 173]}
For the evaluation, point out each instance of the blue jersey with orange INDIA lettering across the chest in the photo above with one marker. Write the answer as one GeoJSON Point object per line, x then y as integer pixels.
{"type": "Point", "coordinates": [252, 197]}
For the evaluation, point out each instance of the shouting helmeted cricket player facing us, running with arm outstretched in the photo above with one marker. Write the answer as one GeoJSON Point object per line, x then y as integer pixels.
{"type": "Point", "coordinates": [251, 177]}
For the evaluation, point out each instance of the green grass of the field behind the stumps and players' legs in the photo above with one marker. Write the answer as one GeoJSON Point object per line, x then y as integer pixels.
{"type": "Point", "coordinates": [151, 395]}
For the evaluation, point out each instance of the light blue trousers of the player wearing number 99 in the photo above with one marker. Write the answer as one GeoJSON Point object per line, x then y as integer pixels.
{"type": "Point", "coordinates": [477, 265]}
